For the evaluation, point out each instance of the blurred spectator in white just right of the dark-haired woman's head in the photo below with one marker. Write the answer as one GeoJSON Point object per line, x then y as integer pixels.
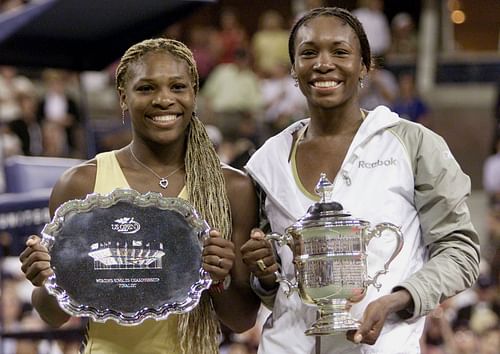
{"type": "Point", "coordinates": [371, 15]}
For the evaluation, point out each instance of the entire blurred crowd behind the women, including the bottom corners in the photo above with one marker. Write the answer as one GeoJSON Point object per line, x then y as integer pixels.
{"type": "Point", "coordinates": [247, 94]}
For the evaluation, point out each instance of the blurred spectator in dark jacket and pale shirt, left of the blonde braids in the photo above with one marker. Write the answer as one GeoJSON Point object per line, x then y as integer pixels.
{"type": "Point", "coordinates": [59, 116]}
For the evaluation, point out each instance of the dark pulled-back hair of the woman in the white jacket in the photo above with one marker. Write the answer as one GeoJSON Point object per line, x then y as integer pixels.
{"type": "Point", "coordinates": [344, 15]}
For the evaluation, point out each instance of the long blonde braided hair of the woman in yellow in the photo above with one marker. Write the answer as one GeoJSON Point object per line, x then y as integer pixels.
{"type": "Point", "coordinates": [198, 330]}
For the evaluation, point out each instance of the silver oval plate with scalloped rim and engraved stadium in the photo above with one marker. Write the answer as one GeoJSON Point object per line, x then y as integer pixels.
{"type": "Point", "coordinates": [126, 256]}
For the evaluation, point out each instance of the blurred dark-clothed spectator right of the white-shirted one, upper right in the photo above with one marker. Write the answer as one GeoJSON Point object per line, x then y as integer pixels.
{"type": "Point", "coordinates": [404, 37]}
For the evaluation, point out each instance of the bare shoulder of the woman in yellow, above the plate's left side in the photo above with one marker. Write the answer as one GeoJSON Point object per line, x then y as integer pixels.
{"type": "Point", "coordinates": [74, 183]}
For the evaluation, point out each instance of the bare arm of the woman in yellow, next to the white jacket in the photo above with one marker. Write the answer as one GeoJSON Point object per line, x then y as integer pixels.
{"type": "Point", "coordinates": [237, 306]}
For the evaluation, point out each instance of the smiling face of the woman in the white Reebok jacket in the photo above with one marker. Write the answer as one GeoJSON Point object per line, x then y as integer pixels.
{"type": "Point", "coordinates": [328, 62]}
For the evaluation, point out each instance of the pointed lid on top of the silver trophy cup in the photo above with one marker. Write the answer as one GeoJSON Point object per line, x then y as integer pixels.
{"type": "Point", "coordinates": [326, 210]}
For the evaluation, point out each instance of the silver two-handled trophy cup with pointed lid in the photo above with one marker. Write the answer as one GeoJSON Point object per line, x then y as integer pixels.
{"type": "Point", "coordinates": [329, 255]}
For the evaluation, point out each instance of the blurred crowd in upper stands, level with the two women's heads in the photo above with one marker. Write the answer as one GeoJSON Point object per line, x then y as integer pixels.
{"type": "Point", "coordinates": [247, 93]}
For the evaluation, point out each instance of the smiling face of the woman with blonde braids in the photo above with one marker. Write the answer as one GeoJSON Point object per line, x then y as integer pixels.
{"type": "Point", "coordinates": [159, 96]}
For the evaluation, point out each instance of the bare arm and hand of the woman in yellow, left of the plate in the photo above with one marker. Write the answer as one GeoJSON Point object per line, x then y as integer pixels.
{"type": "Point", "coordinates": [74, 183]}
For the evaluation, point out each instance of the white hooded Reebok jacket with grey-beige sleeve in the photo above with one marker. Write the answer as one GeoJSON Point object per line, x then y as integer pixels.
{"type": "Point", "coordinates": [394, 171]}
